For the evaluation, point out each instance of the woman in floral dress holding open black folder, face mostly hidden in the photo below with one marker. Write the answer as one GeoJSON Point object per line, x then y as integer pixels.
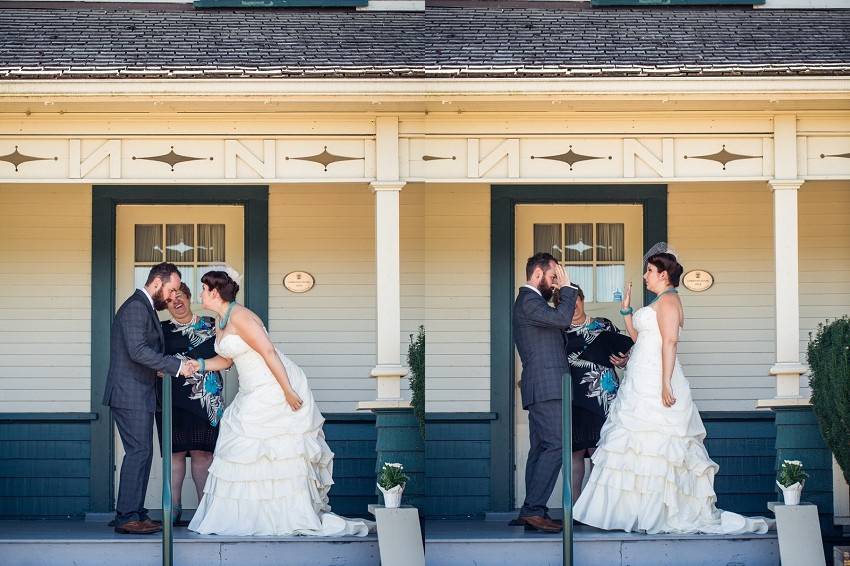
{"type": "Point", "coordinates": [594, 382]}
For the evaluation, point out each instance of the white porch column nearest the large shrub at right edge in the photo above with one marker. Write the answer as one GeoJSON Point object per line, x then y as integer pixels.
{"type": "Point", "coordinates": [786, 249]}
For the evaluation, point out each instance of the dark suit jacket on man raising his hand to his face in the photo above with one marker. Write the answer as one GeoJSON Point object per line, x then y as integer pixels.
{"type": "Point", "coordinates": [538, 334]}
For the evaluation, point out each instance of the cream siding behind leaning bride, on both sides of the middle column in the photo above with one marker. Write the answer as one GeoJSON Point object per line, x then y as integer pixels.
{"type": "Point", "coordinates": [329, 231]}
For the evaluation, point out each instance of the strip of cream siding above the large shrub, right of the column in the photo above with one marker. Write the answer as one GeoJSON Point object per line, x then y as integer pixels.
{"type": "Point", "coordinates": [824, 257]}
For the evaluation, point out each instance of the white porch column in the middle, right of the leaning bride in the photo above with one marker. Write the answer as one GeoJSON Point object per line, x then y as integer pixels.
{"type": "Point", "coordinates": [387, 189]}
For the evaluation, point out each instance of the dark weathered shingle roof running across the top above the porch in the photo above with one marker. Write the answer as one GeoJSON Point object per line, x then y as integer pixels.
{"type": "Point", "coordinates": [123, 41]}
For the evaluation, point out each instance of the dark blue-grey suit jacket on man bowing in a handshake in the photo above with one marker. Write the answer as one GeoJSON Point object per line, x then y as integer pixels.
{"type": "Point", "coordinates": [135, 355]}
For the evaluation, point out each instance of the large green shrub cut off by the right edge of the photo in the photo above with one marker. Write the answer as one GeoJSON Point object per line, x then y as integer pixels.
{"type": "Point", "coordinates": [829, 360]}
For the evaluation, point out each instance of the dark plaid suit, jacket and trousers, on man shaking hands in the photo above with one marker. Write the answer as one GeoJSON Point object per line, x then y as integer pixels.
{"type": "Point", "coordinates": [135, 357]}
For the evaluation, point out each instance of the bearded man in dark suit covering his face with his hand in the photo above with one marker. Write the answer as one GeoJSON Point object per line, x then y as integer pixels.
{"type": "Point", "coordinates": [538, 333]}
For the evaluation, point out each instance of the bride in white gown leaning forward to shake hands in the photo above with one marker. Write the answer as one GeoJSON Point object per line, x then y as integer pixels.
{"type": "Point", "coordinates": [271, 470]}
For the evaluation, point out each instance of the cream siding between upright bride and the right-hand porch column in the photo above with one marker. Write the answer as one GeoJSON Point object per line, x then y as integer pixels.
{"type": "Point", "coordinates": [729, 342]}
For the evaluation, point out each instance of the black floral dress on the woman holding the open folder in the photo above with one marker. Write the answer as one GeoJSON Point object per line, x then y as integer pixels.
{"type": "Point", "coordinates": [594, 381]}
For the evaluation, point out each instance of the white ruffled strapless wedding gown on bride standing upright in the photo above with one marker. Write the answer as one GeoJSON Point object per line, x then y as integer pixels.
{"type": "Point", "coordinates": [651, 470]}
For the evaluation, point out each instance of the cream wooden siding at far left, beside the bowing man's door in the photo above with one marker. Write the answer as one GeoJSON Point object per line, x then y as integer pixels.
{"type": "Point", "coordinates": [45, 314]}
